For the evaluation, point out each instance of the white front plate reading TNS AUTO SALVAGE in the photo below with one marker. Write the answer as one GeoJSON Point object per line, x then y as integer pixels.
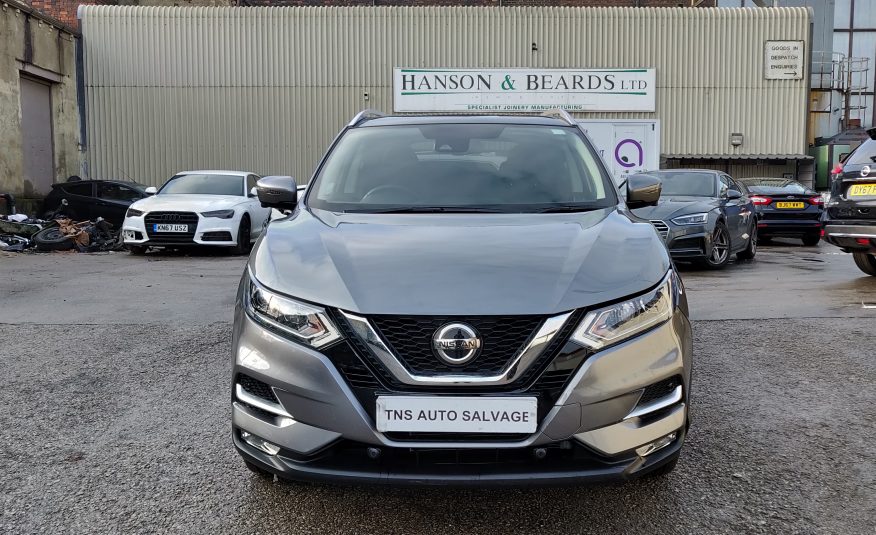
{"type": "Point", "coordinates": [447, 414]}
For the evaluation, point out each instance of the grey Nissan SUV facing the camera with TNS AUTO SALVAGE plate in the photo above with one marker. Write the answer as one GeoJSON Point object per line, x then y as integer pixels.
{"type": "Point", "coordinates": [460, 300]}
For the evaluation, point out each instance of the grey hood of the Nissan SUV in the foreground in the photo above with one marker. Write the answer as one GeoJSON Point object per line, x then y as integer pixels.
{"type": "Point", "coordinates": [459, 264]}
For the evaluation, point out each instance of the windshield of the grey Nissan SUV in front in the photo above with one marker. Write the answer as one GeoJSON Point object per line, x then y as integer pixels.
{"type": "Point", "coordinates": [461, 168]}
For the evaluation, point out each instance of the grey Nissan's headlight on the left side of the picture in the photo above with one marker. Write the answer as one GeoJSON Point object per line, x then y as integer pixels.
{"type": "Point", "coordinates": [306, 323]}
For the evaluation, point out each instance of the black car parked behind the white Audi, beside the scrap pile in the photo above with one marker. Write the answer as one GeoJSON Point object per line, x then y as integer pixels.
{"type": "Point", "coordinates": [90, 199]}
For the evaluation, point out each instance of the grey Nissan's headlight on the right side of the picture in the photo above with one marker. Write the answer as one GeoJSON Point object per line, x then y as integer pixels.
{"type": "Point", "coordinates": [606, 326]}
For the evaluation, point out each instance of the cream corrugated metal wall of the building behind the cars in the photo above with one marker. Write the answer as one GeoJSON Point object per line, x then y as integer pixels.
{"type": "Point", "coordinates": [266, 89]}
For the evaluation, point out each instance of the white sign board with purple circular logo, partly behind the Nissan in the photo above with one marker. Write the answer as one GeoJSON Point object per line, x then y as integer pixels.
{"type": "Point", "coordinates": [627, 146]}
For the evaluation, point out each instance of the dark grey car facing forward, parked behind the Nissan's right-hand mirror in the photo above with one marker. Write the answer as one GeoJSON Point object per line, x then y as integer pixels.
{"type": "Point", "coordinates": [704, 216]}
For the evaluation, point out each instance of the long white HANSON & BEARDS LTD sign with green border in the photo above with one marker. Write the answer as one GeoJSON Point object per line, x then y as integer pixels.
{"type": "Point", "coordinates": [513, 90]}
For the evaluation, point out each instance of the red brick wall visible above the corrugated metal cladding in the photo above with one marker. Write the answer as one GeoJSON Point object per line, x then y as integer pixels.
{"type": "Point", "coordinates": [65, 10]}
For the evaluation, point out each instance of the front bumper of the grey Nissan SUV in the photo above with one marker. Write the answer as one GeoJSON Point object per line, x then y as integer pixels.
{"type": "Point", "coordinates": [590, 433]}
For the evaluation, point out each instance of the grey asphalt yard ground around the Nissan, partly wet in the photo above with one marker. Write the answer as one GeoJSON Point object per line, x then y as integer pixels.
{"type": "Point", "coordinates": [116, 412]}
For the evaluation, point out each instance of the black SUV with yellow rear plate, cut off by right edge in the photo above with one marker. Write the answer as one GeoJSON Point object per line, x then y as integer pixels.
{"type": "Point", "coordinates": [850, 219]}
